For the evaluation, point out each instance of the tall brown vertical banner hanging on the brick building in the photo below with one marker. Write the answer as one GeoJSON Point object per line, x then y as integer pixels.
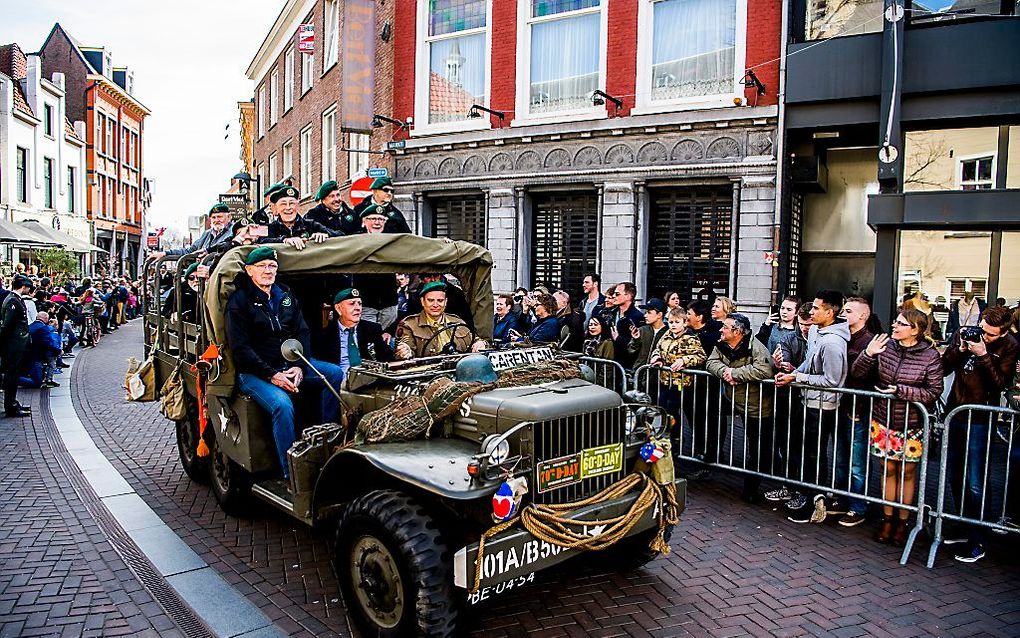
{"type": "Point", "coordinates": [359, 80]}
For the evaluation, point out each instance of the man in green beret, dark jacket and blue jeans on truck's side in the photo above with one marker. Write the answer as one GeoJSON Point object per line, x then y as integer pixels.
{"type": "Point", "coordinates": [262, 315]}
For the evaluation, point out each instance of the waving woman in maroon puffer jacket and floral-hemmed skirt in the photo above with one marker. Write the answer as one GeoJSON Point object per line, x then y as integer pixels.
{"type": "Point", "coordinates": [908, 370]}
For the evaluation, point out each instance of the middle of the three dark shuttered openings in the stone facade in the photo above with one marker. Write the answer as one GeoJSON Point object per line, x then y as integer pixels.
{"type": "Point", "coordinates": [565, 239]}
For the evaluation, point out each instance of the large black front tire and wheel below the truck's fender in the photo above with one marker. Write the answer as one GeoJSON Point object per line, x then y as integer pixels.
{"type": "Point", "coordinates": [394, 570]}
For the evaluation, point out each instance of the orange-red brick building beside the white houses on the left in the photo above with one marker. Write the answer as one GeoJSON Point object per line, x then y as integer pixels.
{"type": "Point", "coordinates": [103, 96]}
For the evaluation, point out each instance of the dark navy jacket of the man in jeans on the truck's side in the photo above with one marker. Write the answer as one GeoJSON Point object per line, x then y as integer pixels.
{"type": "Point", "coordinates": [259, 325]}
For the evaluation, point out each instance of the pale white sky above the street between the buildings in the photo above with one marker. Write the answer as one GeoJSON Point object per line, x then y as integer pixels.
{"type": "Point", "coordinates": [189, 59]}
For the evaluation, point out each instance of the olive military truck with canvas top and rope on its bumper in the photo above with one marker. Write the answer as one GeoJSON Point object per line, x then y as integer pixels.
{"type": "Point", "coordinates": [416, 533]}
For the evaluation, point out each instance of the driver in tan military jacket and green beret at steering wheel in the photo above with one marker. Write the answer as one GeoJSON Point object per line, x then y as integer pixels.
{"type": "Point", "coordinates": [431, 332]}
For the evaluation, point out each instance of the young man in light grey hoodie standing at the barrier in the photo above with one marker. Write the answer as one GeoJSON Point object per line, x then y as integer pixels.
{"type": "Point", "coordinates": [825, 367]}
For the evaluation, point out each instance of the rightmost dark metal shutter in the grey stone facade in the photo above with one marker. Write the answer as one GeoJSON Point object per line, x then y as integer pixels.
{"type": "Point", "coordinates": [689, 240]}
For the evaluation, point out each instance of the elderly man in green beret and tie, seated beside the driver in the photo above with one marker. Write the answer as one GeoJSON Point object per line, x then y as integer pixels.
{"type": "Point", "coordinates": [350, 339]}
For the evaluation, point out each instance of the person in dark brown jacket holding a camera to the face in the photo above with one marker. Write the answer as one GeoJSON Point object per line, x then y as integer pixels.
{"type": "Point", "coordinates": [984, 361]}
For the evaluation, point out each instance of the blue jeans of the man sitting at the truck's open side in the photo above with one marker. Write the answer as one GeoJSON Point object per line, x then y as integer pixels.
{"type": "Point", "coordinates": [279, 403]}
